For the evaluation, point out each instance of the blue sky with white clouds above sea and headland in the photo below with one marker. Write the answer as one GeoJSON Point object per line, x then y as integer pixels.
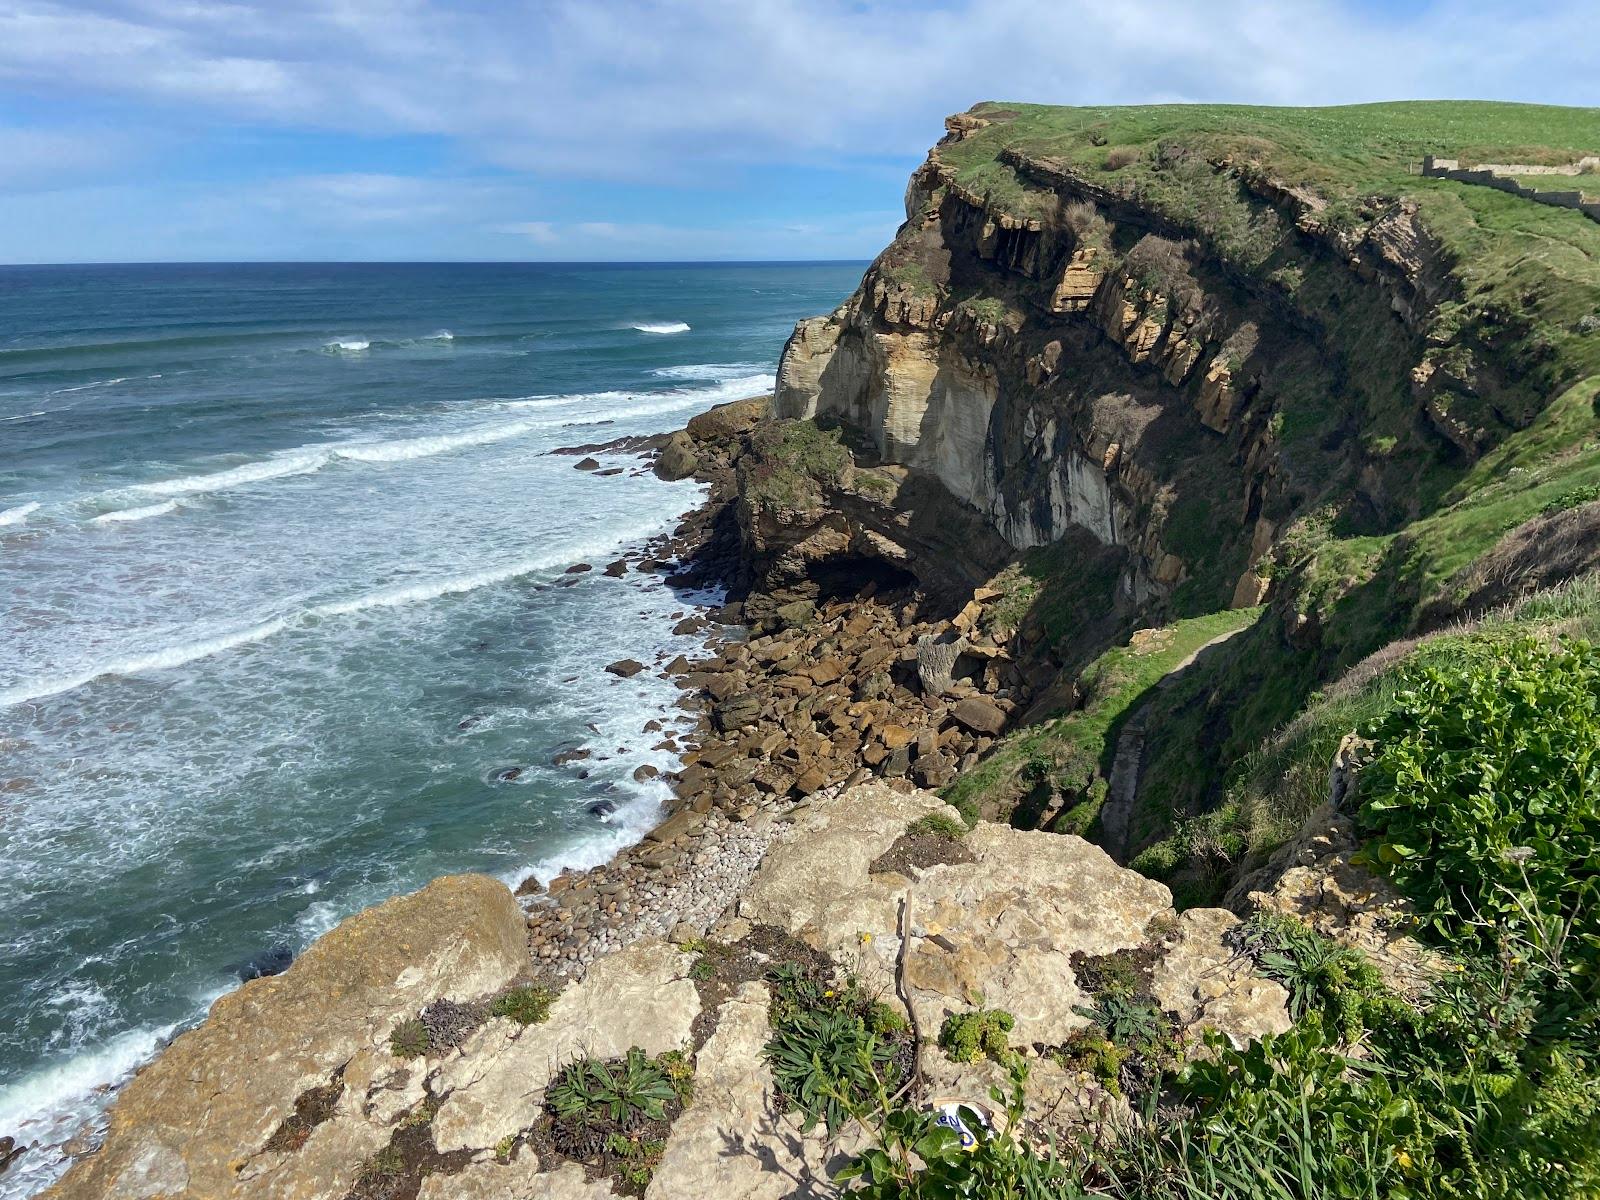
{"type": "Point", "coordinates": [630, 130]}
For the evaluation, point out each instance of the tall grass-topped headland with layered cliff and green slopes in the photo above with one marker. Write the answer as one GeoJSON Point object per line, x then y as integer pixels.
{"type": "Point", "coordinates": [1186, 362]}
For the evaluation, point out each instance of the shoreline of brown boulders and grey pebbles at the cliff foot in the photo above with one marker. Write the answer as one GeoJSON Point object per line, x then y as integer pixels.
{"type": "Point", "coordinates": [825, 695]}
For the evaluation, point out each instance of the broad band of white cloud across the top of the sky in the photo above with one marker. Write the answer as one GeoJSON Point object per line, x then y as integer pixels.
{"type": "Point", "coordinates": [647, 90]}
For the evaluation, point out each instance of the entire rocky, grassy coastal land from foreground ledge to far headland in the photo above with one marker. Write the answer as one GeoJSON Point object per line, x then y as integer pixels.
{"type": "Point", "coordinates": [1148, 748]}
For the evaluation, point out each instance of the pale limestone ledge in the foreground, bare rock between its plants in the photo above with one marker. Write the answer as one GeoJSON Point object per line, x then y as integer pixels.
{"type": "Point", "coordinates": [1001, 929]}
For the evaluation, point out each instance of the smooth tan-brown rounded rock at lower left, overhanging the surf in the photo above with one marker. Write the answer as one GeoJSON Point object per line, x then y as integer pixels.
{"type": "Point", "coordinates": [198, 1121]}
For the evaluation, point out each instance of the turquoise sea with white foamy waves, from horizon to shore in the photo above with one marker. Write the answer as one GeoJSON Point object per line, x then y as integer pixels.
{"type": "Point", "coordinates": [282, 596]}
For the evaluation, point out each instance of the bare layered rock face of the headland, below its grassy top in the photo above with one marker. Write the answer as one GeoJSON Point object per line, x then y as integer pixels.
{"type": "Point", "coordinates": [1065, 359]}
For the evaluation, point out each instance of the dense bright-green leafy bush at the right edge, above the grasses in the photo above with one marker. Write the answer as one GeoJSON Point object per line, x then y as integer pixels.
{"type": "Point", "coordinates": [1482, 794]}
